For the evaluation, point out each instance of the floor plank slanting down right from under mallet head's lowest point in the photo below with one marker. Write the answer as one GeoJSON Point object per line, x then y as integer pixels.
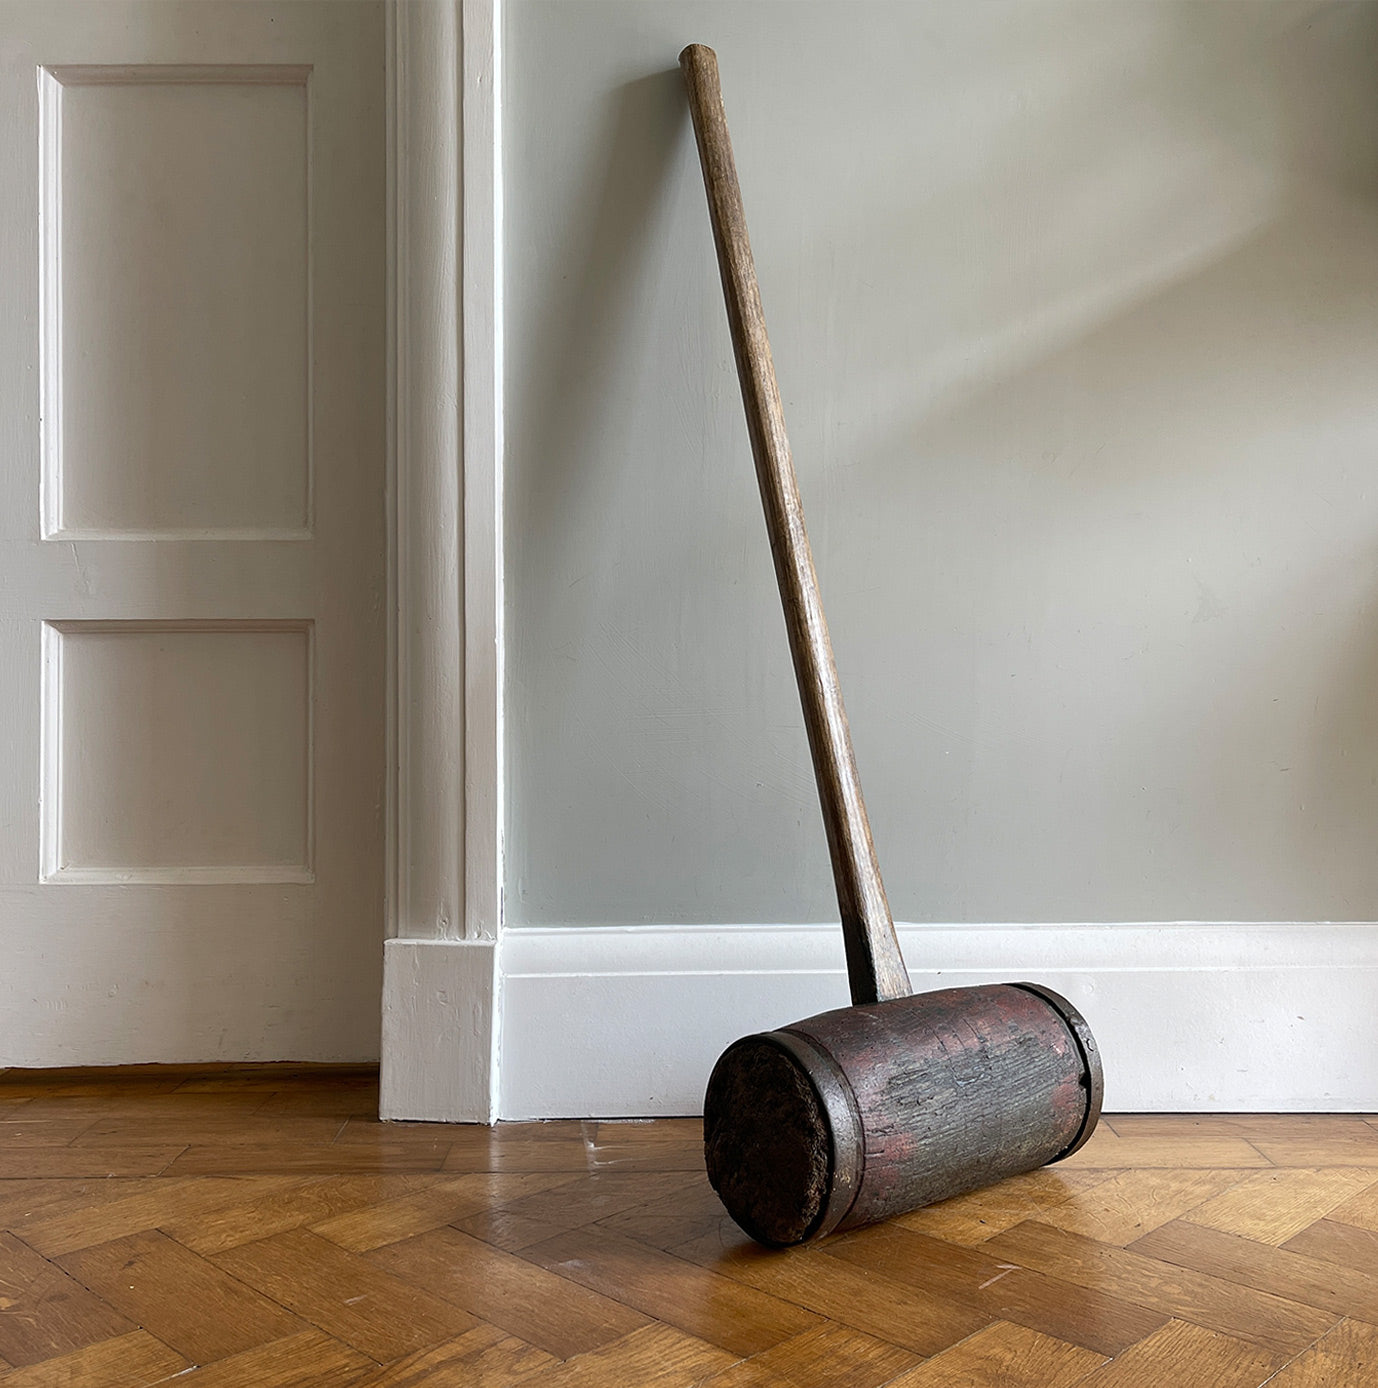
{"type": "Point", "coordinates": [875, 1305]}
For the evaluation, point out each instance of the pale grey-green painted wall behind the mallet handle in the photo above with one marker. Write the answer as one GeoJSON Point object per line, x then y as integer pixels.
{"type": "Point", "coordinates": [1076, 319]}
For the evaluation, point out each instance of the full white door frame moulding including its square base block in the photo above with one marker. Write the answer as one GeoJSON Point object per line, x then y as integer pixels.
{"type": "Point", "coordinates": [445, 502]}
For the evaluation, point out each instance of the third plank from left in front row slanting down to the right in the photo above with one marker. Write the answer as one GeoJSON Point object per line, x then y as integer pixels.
{"type": "Point", "coordinates": [348, 1297]}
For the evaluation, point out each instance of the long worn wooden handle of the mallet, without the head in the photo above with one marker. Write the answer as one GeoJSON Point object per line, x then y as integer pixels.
{"type": "Point", "coordinates": [875, 967]}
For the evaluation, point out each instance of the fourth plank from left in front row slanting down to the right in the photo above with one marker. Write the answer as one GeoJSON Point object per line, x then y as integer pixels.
{"type": "Point", "coordinates": [527, 1301]}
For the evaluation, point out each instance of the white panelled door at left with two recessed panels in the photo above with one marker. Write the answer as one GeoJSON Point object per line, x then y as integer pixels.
{"type": "Point", "coordinates": [192, 531]}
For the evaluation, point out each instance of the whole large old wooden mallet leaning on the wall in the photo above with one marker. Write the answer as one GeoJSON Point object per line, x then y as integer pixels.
{"type": "Point", "coordinates": [901, 1100]}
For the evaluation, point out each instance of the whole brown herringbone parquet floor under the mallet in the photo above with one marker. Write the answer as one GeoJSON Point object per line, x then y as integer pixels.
{"type": "Point", "coordinates": [256, 1228]}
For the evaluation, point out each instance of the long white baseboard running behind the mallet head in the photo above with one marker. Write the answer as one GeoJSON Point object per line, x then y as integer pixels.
{"type": "Point", "coordinates": [627, 1022]}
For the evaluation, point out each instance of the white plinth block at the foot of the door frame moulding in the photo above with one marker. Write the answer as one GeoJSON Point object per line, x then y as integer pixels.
{"type": "Point", "coordinates": [438, 1031]}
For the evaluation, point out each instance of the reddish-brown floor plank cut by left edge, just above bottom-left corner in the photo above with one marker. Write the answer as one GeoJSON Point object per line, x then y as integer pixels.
{"type": "Point", "coordinates": [44, 1312]}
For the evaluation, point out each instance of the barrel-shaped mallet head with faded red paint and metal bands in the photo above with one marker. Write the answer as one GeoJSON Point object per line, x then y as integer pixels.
{"type": "Point", "coordinates": [861, 1114]}
